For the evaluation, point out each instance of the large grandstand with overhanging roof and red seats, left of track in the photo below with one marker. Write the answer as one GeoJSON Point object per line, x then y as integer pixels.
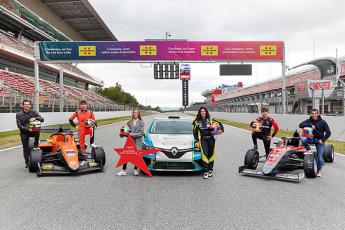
{"type": "Point", "coordinates": [26, 21]}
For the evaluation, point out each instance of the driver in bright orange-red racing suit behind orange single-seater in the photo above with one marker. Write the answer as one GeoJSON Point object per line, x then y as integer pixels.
{"type": "Point", "coordinates": [86, 124]}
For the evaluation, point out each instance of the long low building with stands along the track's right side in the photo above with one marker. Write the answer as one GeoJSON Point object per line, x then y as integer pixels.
{"type": "Point", "coordinates": [268, 94]}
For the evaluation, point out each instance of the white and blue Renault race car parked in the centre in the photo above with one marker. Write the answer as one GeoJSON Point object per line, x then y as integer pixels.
{"type": "Point", "coordinates": [173, 136]}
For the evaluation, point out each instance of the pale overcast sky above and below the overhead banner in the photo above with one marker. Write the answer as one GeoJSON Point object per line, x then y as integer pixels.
{"type": "Point", "coordinates": [296, 22]}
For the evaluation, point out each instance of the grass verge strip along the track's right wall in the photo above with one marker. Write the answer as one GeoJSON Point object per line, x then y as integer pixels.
{"type": "Point", "coordinates": [339, 146]}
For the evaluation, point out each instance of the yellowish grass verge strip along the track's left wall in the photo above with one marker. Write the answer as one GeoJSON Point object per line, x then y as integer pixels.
{"type": "Point", "coordinates": [11, 138]}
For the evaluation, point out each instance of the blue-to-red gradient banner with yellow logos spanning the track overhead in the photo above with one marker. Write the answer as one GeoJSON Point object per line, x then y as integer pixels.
{"type": "Point", "coordinates": [90, 51]}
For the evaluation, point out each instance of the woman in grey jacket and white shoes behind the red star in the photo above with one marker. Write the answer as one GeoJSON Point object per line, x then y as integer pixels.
{"type": "Point", "coordinates": [136, 127]}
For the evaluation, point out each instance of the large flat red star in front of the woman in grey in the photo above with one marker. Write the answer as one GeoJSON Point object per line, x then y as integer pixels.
{"type": "Point", "coordinates": [130, 154]}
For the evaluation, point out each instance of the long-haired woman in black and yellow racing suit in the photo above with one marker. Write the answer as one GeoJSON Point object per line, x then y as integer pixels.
{"type": "Point", "coordinates": [204, 128]}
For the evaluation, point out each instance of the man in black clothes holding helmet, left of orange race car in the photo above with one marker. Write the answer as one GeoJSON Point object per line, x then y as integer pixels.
{"type": "Point", "coordinates": [23, 119]}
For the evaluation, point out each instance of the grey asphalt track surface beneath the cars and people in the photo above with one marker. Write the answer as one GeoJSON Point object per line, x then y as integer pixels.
{"type": "Point", "coordinates": [169, 201]}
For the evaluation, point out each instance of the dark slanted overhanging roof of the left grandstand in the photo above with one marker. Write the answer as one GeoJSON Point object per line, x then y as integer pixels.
{"type": "Point", "coordinates": [82, 17]}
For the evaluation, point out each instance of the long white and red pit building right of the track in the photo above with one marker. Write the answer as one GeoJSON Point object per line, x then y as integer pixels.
{"type": "Point", "coordinates": [298, 94]}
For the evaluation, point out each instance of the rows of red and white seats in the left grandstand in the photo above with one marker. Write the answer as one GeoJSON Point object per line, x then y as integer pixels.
{"type": "Point", "coordinates": [21, 86]}
